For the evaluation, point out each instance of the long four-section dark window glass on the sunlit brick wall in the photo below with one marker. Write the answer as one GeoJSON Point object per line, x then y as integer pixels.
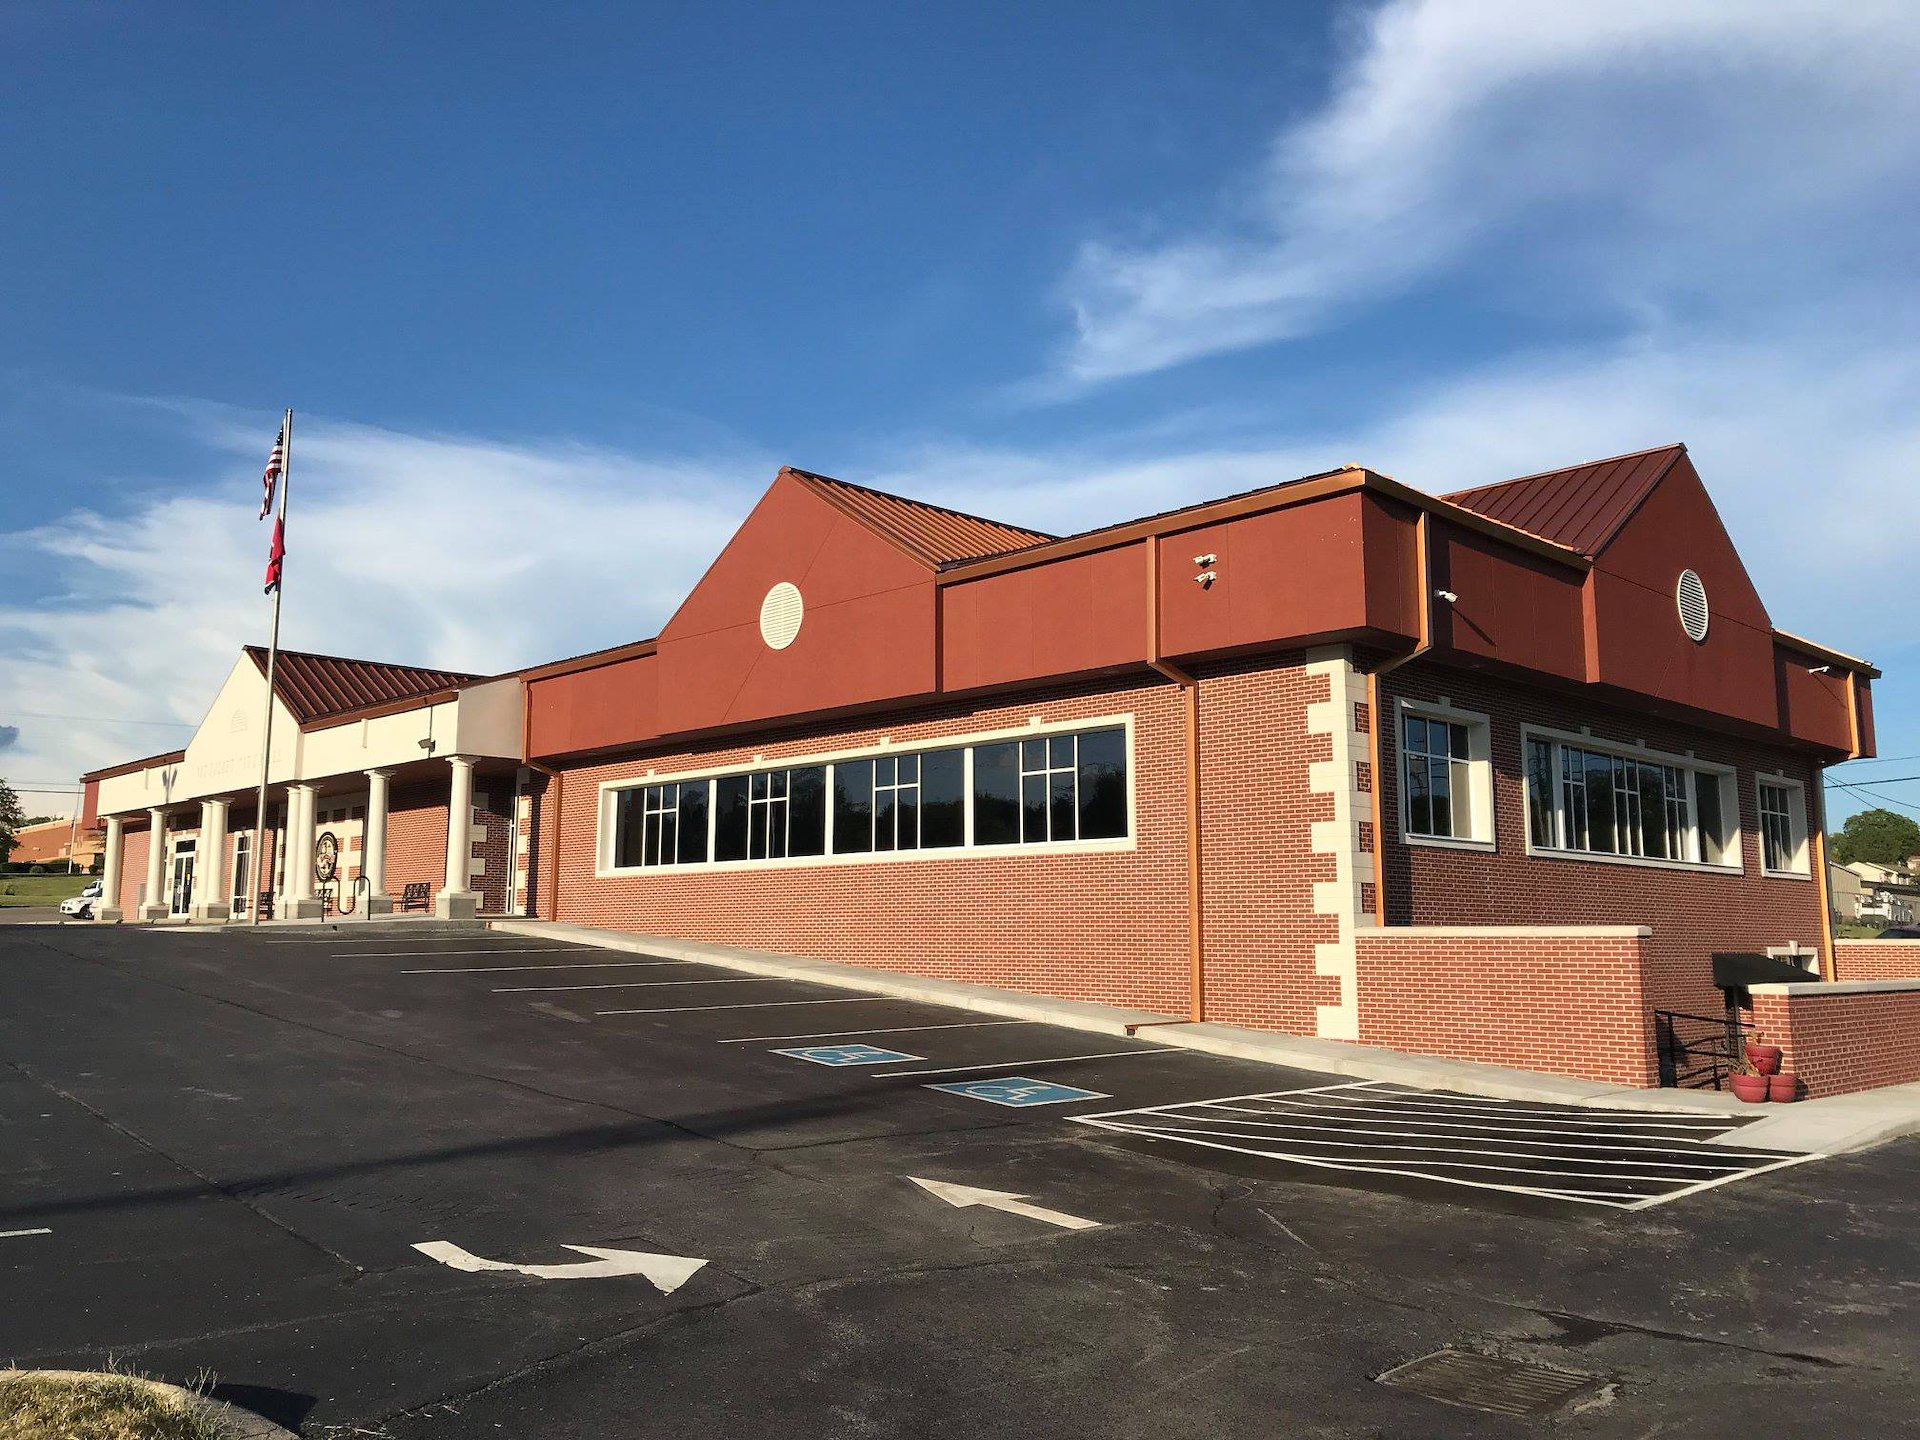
{"type": "Point", "coordinates": [1036, 790]}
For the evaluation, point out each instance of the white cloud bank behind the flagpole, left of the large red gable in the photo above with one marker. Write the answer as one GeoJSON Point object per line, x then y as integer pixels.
{"type": "Point", "coordinates": [425, 550]}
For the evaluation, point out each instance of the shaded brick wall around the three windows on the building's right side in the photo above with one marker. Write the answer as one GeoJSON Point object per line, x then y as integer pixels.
{"type": "Point", "coordinates": [1692, 915]}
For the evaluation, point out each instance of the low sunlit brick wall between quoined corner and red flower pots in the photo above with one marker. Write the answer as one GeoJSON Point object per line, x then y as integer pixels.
{"type": "Point", "coordinates": [1568, 1005]}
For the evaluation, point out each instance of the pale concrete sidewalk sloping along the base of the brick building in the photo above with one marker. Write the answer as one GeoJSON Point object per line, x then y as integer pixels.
{"type": "Point", "coordinates": [1833, 1126]}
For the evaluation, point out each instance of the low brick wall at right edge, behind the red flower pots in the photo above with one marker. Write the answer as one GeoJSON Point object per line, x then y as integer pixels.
{"type": "Point", "coordinates": [1844, 1042]}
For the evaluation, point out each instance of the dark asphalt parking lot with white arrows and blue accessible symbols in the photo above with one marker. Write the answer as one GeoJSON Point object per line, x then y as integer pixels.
{"type": "Point", "coordinates": [420, 1182]}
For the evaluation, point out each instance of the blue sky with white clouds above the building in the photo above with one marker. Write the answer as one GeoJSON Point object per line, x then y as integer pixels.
{"type": "Point", "coordinates": [558, 289]}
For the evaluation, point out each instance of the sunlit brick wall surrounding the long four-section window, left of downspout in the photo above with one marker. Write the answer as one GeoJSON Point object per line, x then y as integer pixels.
{"type": "Point", "coordinates": [1084, 926]}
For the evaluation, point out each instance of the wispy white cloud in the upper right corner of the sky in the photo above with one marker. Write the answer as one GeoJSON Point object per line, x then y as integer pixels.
{"type": "Point", "coordinates": [1625, 160]}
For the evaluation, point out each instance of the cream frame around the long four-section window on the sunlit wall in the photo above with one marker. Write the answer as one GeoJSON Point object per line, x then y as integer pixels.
{"type": "Point", "coordinates": [608, 790]}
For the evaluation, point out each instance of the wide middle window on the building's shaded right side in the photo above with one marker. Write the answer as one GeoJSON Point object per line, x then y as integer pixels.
{"type": "Point", "coordinates": [1629, 805]}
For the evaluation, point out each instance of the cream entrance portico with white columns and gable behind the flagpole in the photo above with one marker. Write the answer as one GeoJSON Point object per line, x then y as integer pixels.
{"type": "Point", "coordinates": [372, 804]}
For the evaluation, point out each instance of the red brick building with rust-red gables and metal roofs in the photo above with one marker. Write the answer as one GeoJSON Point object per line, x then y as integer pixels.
{"type": "Point", "coordinates": [1483, 777]}
